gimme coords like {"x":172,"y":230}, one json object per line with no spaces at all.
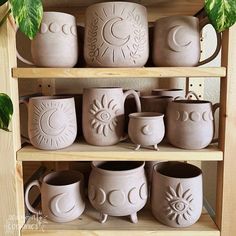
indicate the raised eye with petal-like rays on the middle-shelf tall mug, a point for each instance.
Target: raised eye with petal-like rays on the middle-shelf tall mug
{"x":104,"y":115}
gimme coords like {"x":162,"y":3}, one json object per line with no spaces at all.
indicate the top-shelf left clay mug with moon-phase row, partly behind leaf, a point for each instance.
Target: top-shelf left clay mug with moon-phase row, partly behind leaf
{"x":56,"y":44}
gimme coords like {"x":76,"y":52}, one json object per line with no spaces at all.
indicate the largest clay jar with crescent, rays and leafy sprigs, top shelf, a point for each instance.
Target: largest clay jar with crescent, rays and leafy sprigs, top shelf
{"x":116,"y":35}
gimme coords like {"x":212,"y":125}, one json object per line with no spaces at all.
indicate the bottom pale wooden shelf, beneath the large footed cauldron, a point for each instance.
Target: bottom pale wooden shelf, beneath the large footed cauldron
{"x":88,"y":224}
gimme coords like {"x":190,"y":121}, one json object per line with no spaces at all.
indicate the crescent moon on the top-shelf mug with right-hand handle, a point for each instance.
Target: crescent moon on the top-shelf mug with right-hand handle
{"x":172,"y":42}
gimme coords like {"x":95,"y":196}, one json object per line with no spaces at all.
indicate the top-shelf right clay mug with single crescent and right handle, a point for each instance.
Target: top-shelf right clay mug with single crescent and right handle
{"x":177,"y":41}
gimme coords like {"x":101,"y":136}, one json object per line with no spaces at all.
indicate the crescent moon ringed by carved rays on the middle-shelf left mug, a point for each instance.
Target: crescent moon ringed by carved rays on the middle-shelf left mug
{"x":46,"y":123}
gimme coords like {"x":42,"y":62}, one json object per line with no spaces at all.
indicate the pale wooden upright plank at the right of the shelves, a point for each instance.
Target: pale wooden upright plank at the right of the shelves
{"x":226,"y":193}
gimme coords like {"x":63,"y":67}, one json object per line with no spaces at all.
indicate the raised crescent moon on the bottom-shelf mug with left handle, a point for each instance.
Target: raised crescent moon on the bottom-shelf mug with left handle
{"x":55,"y":208}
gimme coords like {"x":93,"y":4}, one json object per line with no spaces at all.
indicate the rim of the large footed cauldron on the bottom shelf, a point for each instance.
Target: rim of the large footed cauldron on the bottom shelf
{"x":95,"y":167}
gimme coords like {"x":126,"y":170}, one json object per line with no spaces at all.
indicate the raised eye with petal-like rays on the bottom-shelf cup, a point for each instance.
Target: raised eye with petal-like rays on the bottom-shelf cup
{"x":179,"y":204}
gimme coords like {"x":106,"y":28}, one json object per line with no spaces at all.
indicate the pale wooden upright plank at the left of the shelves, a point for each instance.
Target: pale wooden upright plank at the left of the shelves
{"x":11,"y":197}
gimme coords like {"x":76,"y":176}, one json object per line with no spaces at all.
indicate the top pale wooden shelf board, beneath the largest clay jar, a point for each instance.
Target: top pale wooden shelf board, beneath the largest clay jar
{"x":143,"y":72}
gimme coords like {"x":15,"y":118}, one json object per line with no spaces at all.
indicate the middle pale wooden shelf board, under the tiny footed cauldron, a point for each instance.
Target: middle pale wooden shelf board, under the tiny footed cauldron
{"x":80,"y":151}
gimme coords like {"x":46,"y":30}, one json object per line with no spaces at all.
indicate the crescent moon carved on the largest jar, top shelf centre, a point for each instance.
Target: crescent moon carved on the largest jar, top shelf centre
{"x":109,"y":35}
